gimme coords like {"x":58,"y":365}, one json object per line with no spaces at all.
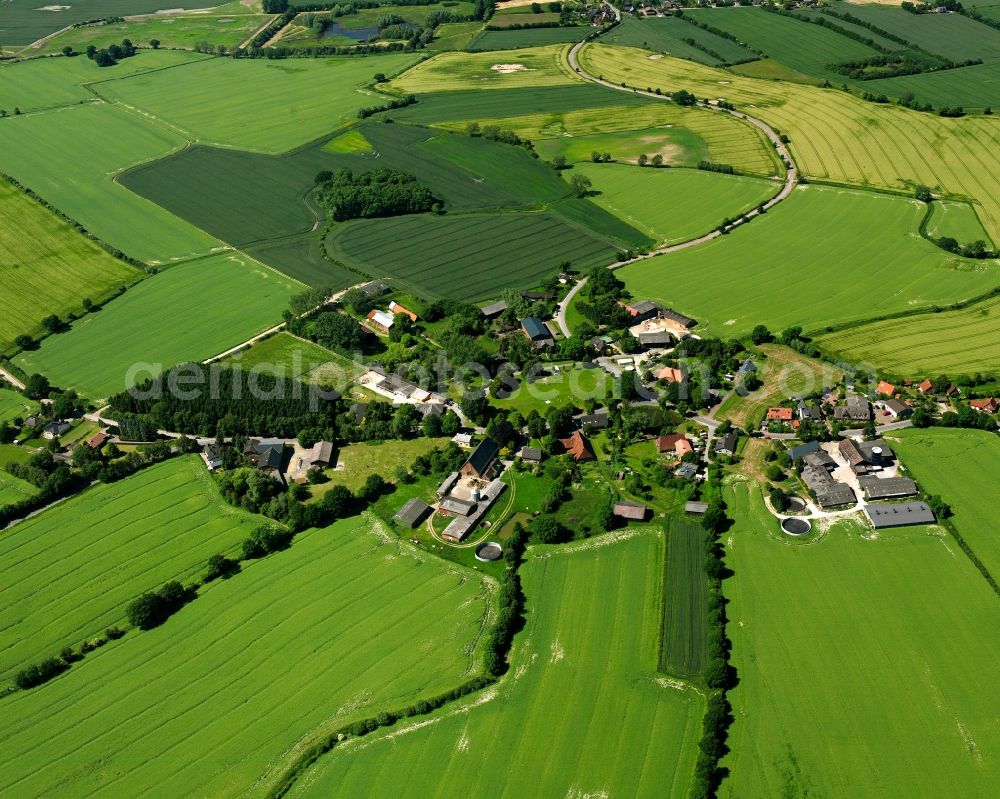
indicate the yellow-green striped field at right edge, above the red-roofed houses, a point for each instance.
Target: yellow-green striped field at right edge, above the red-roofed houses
{"x":953,"y":342}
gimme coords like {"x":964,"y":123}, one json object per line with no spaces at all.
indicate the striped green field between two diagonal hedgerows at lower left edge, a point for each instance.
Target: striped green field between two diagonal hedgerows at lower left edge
{"x":70,"y":572}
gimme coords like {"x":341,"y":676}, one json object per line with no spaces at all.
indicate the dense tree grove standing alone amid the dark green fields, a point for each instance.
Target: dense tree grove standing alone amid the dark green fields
{"x":384,"y":192}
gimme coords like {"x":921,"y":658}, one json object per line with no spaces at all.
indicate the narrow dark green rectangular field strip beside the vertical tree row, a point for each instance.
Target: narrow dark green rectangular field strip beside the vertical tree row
{"x":685,"y":604}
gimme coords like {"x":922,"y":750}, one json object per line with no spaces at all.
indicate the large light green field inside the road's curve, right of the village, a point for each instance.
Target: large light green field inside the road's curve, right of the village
{"x":824,"y":256}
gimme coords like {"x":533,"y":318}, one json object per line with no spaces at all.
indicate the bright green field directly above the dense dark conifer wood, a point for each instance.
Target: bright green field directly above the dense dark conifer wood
{"x":189,"y":312}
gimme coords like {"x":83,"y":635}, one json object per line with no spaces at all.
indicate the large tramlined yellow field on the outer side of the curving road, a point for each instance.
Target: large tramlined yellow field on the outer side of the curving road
{"x":836,"y":136}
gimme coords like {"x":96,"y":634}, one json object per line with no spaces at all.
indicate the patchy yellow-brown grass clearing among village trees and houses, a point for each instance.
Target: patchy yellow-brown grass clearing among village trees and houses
{"x":785,"y":373}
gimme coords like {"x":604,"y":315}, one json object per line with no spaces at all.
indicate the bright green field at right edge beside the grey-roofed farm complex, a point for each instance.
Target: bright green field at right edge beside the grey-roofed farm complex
{"x":960,"y":466}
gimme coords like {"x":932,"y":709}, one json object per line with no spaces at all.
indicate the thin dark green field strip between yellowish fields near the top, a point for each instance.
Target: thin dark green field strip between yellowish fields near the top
{"x":499,"y":103}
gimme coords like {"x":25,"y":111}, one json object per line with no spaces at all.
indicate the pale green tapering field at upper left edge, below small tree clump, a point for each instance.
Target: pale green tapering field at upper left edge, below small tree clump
{"x":50,"y":82}
